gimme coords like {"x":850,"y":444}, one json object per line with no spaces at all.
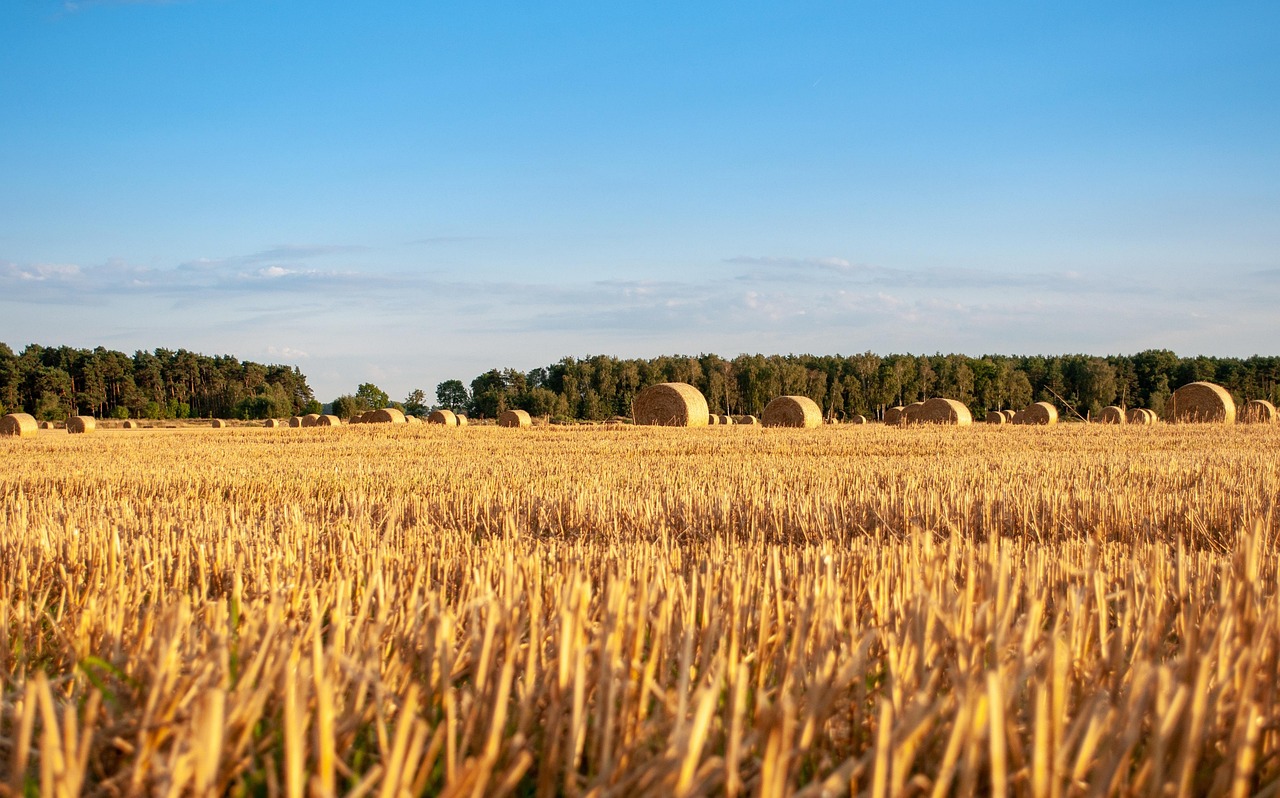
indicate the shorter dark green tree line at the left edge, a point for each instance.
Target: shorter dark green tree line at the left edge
{"x":56,"y":382}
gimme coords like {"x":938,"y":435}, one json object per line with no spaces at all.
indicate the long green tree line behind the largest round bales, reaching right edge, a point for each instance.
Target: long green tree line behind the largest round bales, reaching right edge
{"x":601,"y":387}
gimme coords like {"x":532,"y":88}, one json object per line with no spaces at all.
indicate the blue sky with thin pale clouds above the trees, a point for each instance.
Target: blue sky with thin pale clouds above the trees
{"x":405,"y":193}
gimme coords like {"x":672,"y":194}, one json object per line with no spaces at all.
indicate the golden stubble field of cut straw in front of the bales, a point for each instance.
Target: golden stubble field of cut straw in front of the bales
{"x":618,"y":612}
